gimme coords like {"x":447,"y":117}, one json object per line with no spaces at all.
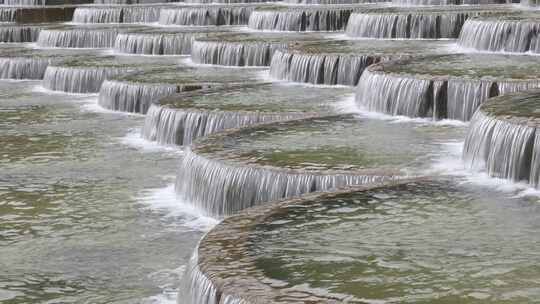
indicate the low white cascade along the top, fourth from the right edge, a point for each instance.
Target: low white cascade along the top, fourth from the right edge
{"x":206,"y":15}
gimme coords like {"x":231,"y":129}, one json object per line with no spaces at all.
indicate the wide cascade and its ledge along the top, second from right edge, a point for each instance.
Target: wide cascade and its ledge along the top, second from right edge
{"x":414,"y":23}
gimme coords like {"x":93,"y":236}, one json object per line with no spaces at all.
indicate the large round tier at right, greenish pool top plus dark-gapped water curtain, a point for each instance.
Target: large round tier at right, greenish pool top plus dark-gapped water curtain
{"x":451,"y":86}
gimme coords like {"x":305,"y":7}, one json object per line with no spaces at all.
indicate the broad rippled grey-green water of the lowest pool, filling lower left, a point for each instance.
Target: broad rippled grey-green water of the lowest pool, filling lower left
{"x":77,"y":219}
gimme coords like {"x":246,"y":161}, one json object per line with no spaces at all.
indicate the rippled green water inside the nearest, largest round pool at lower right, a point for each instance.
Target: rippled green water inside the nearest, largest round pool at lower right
{"x":434,"y":242}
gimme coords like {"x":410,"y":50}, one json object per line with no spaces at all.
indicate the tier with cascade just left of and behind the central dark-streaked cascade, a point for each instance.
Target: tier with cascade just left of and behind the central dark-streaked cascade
{"x":243,"y":49}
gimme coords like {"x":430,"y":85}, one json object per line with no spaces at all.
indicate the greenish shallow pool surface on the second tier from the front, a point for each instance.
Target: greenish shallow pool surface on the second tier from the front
{"x":341,"y":143}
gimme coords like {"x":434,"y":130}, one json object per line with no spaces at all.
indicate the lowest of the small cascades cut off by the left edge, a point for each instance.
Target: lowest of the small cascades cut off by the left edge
{"x":23,"y":67}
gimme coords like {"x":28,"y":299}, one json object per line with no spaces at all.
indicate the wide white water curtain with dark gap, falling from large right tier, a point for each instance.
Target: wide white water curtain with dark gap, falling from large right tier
{"x":438,"y":97}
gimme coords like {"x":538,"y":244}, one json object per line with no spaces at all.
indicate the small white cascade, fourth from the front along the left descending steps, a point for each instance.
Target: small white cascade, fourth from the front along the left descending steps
{"x":133,"y":97}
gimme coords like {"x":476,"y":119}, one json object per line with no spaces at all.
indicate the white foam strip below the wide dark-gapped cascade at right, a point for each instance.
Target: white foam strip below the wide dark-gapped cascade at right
{"x":348,"y":105}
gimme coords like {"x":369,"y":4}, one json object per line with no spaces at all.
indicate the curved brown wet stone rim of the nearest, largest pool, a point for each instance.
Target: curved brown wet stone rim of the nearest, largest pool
{"x":223,"y":253}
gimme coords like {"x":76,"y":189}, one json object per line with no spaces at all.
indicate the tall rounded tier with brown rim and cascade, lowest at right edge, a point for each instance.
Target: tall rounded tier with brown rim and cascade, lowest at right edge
{"x":503,"y":139}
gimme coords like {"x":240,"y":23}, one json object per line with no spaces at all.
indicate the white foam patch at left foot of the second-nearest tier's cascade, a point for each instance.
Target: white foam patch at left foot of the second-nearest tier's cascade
{"x":165,"y":201}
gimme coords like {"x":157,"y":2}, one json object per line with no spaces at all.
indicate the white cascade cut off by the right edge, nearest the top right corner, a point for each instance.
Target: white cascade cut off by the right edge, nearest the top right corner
{"x":501,"y":35}
